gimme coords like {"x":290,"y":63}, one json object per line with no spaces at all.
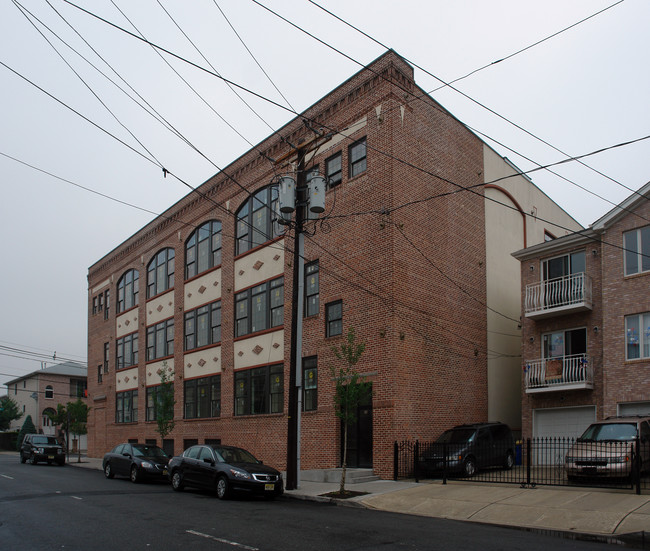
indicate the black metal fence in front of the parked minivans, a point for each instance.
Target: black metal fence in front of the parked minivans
{"x":536,"y":461}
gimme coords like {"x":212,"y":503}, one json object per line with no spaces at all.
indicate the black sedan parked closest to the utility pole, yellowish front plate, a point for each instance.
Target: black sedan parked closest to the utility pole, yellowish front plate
{"x":224,"y":469}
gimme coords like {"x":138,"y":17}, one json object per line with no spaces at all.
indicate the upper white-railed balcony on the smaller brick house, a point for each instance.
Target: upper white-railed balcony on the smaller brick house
{"x":560,"y":296}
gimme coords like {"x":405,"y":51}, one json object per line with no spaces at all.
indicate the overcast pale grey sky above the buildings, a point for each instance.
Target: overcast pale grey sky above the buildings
{"x":582,"y":90}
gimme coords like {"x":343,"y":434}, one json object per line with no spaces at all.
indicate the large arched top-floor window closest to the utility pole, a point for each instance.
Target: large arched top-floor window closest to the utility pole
{"x":257,"y":219}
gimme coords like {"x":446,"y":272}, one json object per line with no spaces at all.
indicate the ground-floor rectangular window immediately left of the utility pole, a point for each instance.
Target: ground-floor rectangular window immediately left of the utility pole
{"x":260,"y":390}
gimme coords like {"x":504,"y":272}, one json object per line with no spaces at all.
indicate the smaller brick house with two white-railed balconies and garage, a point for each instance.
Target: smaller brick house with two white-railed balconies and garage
{"x":586,"y":329}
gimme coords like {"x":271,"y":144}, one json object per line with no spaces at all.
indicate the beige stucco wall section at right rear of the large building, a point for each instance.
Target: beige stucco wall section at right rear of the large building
{"x":517,"y":214}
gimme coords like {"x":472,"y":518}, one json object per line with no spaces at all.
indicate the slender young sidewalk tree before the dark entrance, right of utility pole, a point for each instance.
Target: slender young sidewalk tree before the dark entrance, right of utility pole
{"x":351,"y":391}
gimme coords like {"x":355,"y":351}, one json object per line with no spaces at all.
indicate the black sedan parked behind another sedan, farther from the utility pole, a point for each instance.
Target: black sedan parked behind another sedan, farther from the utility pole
{"x":137,"y":461}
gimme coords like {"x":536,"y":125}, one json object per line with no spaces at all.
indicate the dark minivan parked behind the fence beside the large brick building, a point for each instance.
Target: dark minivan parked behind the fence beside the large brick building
{"x":467,"y":448}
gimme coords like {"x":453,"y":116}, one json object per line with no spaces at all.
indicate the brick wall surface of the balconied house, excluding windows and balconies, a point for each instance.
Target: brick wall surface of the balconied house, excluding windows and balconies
{"x":617,"y":382}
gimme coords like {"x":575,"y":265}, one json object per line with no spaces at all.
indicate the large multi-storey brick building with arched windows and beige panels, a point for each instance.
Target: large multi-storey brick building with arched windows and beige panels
{"x":413,"y":251}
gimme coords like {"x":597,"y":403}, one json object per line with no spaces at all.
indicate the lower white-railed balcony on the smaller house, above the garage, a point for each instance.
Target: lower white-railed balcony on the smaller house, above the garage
{"x":573,"y":372}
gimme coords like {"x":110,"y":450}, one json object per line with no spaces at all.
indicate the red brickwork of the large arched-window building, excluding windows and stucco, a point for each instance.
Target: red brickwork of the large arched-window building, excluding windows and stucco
{"x":425,"y":335}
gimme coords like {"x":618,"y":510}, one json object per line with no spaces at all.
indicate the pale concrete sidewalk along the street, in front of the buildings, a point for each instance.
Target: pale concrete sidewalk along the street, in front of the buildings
{"x":613,"y":516}
